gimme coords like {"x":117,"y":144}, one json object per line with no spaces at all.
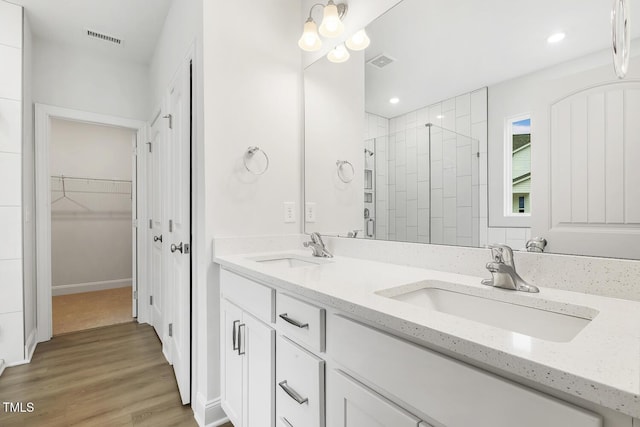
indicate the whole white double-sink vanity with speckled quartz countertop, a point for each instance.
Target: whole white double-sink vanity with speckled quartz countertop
{"x":309,"y":341}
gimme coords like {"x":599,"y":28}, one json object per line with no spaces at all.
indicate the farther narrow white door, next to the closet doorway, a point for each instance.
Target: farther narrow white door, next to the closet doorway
{"x":154,"y":187}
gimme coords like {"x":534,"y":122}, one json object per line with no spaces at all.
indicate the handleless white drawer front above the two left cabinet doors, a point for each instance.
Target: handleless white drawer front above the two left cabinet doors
{"x":255,"y":298}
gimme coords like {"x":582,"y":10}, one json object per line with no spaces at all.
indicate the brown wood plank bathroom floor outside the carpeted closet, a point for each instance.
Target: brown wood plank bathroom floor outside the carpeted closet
{"x":111,"y":376}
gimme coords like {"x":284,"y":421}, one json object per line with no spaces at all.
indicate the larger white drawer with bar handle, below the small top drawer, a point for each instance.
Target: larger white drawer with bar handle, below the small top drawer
{"x":299,"y":386}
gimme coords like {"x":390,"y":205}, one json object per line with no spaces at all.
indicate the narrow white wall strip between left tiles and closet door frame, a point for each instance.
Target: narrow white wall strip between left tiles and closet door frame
{"x":28,"y":191}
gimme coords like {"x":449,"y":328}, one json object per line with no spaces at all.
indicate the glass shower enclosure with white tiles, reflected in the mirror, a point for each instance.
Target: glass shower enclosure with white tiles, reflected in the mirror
{"x":426,"y":187}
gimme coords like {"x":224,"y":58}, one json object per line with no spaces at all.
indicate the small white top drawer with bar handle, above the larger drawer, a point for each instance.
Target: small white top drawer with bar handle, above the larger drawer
{"x":304,"y":323}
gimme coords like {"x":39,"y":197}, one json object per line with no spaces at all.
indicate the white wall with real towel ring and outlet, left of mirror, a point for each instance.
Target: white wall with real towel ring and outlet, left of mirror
{"x":252,"y":92}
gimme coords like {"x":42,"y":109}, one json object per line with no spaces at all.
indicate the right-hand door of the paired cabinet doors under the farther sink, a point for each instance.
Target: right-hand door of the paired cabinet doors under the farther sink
{"x":258,"y":343}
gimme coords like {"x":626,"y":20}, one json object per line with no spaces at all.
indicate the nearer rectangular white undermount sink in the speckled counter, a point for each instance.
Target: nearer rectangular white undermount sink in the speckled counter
{"x":525,"y":320}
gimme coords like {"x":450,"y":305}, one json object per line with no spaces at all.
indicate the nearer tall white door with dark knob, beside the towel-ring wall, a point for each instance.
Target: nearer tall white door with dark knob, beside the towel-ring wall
{"x":179,"y":235}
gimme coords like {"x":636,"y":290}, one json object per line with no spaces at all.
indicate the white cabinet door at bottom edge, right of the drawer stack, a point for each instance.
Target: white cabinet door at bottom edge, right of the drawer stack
{"x":351,"y":404}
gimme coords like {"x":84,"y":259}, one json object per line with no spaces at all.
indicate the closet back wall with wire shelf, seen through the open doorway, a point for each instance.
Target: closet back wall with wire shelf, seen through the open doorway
{"x":93,"y":244}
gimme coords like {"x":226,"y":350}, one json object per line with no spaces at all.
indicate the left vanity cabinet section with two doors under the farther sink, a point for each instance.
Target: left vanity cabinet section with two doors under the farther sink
{"x":247,"y":359}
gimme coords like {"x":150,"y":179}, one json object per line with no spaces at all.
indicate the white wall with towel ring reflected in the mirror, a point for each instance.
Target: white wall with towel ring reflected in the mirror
{"x":333,"y":131}
